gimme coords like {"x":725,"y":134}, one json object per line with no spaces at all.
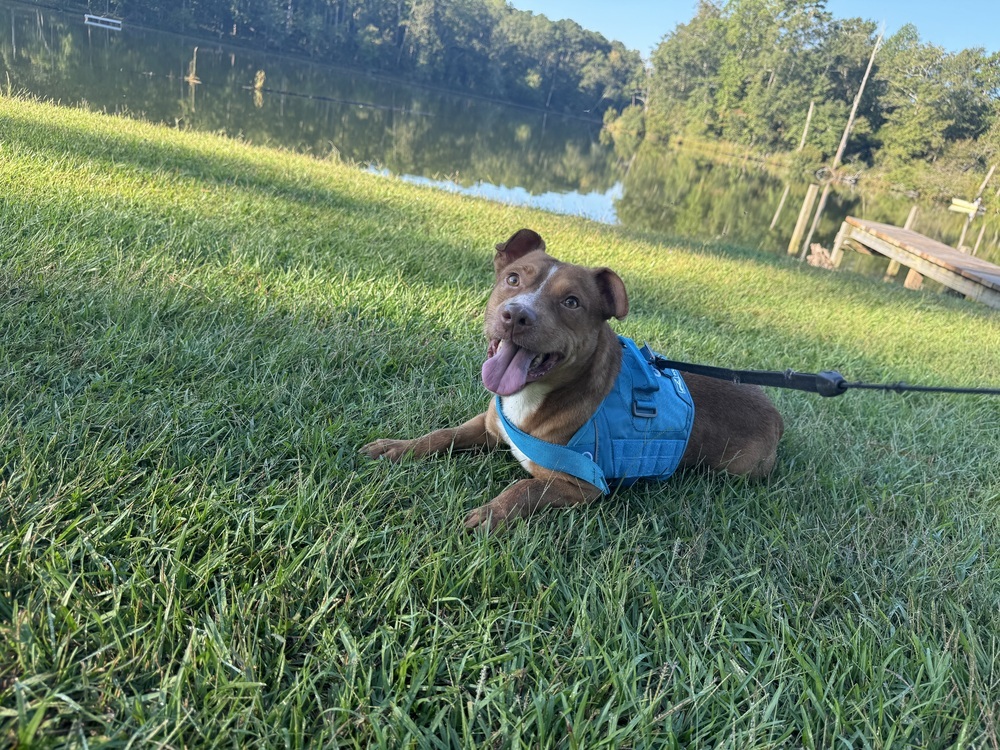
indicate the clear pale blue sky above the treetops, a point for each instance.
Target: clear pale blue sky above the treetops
{"x":641,"y":24}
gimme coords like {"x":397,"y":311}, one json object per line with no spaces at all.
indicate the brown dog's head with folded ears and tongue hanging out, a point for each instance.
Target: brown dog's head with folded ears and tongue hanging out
{"x":544,"y":316}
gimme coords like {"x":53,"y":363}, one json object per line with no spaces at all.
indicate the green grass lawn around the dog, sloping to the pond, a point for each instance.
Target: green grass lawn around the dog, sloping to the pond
{"x":197,"y":336}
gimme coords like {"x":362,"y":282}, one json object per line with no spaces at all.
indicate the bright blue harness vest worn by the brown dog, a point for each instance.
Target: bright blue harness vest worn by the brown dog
{"x":640,"y":430}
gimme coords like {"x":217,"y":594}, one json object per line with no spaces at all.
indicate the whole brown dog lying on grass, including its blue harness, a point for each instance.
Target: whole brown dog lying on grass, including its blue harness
{"x":564,"y":384}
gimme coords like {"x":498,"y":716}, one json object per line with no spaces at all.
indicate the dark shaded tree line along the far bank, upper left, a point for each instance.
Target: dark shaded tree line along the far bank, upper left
{"x":484,"y":47}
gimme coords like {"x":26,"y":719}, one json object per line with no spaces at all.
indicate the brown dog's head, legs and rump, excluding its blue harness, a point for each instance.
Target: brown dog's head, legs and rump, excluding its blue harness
{"x":553,"y":359}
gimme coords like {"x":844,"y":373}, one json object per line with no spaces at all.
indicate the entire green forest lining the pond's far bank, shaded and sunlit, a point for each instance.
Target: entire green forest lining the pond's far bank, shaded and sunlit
{"x":752,"y":73}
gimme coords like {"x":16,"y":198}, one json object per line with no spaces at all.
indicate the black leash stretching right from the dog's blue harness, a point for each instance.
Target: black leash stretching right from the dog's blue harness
{"x":826,"y":383}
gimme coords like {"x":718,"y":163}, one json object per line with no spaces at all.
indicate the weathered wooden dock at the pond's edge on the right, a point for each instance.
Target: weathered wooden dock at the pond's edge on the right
{"x":975,"y":278}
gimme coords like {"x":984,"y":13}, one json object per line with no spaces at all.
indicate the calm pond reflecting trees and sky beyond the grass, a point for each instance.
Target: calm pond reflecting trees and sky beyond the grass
{"x":498,"y":151}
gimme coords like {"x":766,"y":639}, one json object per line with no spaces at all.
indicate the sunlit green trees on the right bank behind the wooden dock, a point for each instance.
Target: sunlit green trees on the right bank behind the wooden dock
{"x":746,"y":71}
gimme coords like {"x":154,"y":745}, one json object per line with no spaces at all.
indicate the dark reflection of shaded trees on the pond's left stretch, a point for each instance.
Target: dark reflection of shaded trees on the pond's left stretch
{"x":297,"y":105}
